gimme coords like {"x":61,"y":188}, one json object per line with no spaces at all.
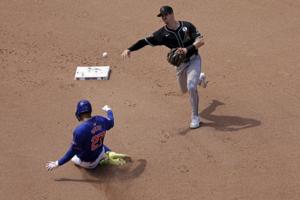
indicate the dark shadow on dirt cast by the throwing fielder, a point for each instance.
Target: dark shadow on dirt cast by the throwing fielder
{"x":222,"y":122}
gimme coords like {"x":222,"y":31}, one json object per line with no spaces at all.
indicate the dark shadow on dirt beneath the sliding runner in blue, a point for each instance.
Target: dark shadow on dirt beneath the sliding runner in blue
{"x":109,"y":173}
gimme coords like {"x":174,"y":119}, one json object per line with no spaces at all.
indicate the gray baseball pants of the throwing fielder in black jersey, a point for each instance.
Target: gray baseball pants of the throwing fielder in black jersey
{"x":188,"y":77}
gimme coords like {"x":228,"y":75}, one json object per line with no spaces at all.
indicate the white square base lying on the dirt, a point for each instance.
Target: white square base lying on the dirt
{"x":92,"y":73}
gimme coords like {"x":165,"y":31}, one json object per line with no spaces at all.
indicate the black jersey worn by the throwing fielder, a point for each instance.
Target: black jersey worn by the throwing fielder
{"x":183,"y":36}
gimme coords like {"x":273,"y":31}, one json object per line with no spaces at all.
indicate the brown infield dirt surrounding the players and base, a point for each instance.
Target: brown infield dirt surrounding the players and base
{"x":248,"y":147}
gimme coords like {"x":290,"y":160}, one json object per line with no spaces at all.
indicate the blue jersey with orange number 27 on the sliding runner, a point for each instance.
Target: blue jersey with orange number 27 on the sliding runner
{"x":88,"y":138}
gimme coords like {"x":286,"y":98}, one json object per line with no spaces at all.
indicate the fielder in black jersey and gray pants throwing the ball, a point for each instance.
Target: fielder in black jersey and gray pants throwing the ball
{"x":184,"y":37}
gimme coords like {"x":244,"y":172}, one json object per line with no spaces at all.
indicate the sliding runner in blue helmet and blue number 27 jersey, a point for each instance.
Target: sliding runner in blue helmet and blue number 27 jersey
{"x":87,"y":148}
